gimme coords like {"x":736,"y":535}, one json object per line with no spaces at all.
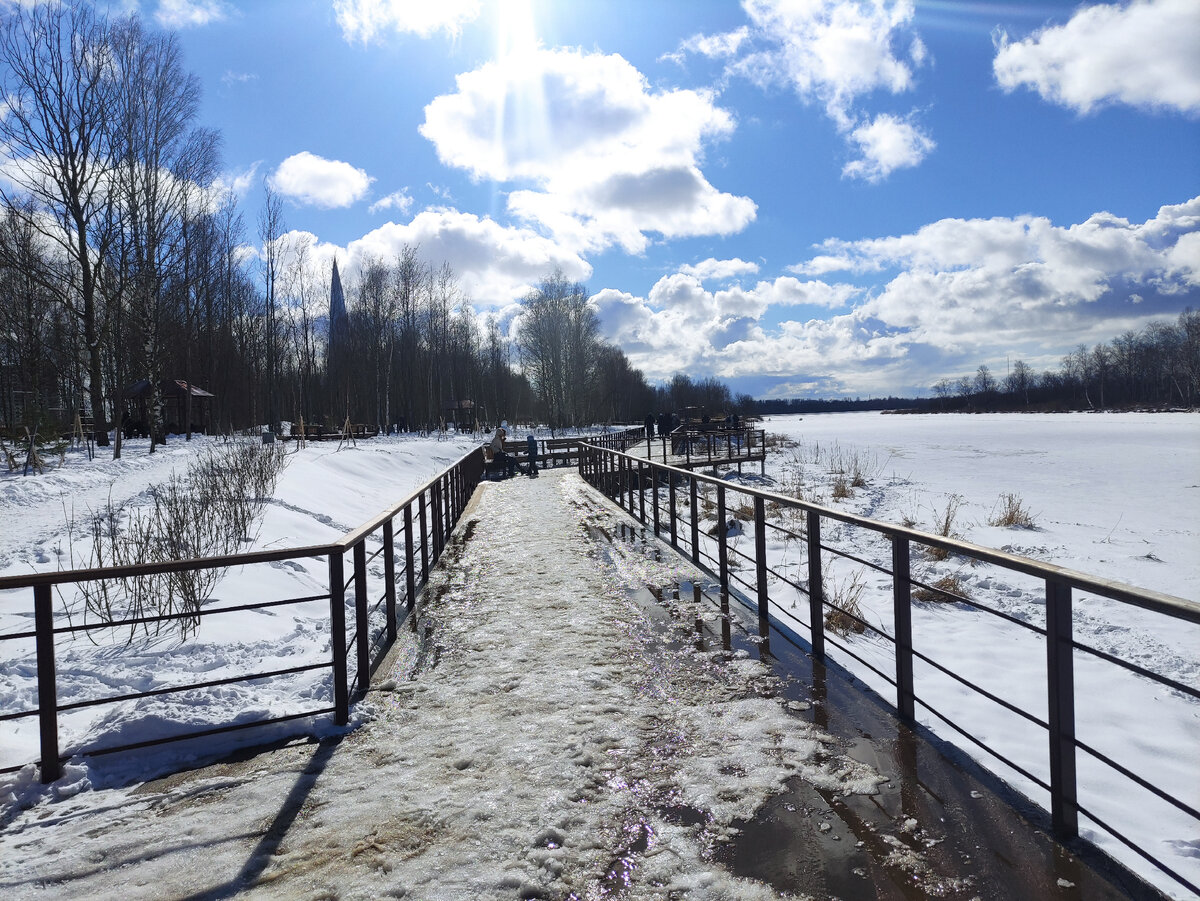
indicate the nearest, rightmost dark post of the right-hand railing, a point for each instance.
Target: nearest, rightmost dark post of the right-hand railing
{"x":1061,"y":686}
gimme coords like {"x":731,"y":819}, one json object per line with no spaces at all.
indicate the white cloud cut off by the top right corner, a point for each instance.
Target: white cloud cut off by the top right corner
{"x":1143,"y":55}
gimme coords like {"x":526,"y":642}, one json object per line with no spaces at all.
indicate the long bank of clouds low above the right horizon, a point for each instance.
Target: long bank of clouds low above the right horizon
{"x":956,"y":292}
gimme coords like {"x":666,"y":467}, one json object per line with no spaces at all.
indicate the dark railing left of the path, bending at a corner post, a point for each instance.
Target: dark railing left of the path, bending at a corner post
{"x":427,"y":520}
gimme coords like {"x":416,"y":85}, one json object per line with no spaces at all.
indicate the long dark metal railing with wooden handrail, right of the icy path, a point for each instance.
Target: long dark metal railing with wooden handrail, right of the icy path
{"x":659,"y":496}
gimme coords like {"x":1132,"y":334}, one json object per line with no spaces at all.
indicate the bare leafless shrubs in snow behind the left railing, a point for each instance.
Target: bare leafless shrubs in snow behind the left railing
{"x":207,"y":513}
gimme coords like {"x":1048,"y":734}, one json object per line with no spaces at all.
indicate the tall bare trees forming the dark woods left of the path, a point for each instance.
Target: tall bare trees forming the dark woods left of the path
{"x":124,"y":261}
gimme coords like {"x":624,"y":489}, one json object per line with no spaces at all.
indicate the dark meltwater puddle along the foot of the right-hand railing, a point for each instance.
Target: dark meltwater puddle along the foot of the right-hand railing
{"x":938,"y":828}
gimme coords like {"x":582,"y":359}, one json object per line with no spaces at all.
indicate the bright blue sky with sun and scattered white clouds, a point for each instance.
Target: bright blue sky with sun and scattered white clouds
{"x":801,"y":197}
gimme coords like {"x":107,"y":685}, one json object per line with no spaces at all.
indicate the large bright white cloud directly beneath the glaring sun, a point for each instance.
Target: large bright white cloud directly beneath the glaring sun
{"x":610,"y":160}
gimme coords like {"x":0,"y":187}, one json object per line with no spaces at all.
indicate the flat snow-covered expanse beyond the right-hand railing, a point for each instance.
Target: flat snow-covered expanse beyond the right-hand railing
{"x":1115,"y":496}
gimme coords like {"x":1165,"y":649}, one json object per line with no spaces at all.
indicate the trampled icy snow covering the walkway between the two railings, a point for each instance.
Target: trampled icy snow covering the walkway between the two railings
{"x":539,"y":742}
